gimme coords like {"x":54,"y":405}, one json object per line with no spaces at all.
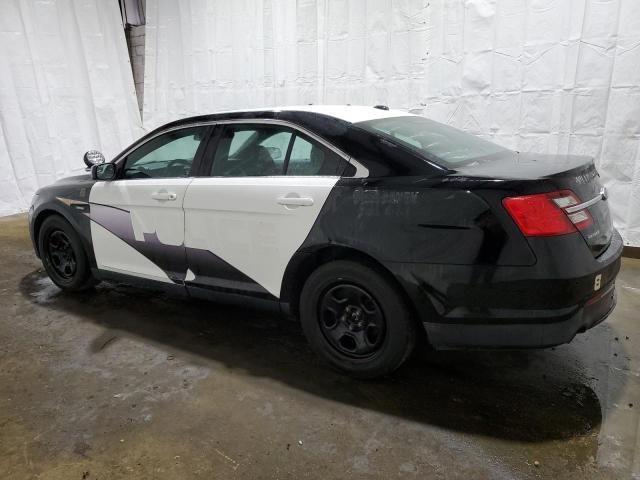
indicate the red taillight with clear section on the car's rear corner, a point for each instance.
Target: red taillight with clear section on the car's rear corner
{"x":544,"y":215}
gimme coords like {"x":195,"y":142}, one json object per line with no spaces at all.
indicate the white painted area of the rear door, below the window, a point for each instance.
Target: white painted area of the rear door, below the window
{"x":255,"y":224}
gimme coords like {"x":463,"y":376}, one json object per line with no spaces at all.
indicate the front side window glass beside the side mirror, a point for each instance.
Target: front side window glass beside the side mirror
{"x":168,"y":155}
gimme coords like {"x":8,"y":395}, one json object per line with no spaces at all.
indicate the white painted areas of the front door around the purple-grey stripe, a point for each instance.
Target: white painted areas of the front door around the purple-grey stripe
{"x":155,"y":208}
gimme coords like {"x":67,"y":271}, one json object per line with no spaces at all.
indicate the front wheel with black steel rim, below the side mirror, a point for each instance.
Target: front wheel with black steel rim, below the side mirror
{"x":63,"y":256}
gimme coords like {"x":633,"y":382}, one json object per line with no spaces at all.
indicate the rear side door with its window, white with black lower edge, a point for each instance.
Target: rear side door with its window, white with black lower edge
{"x":255,"y":205}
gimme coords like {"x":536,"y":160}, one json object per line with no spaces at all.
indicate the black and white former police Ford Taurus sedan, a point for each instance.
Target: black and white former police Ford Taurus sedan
{"x":374,"y":227}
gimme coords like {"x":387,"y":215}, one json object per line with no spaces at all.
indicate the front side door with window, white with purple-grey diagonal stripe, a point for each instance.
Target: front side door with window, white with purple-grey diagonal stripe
{"x":137,"y":220}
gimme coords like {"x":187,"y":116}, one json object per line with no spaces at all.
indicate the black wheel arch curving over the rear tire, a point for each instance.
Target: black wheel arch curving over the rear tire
{"x":297,"y":273}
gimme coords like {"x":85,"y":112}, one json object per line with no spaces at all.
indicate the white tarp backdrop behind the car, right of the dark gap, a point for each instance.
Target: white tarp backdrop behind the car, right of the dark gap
{"x":557,"y":76}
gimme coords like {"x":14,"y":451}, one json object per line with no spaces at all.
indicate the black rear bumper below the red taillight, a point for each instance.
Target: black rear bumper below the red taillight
{"x":464,"y":306}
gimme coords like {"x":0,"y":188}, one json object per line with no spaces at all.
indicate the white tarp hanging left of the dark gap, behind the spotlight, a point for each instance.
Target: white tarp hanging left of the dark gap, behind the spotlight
{"x":65,"y":87}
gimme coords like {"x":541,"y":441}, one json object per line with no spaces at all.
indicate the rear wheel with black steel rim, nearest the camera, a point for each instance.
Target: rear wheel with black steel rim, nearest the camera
{"x":354,"y":340}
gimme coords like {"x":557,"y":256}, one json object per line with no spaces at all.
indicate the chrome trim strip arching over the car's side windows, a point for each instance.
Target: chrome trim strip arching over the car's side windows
{"x":361,"y":170}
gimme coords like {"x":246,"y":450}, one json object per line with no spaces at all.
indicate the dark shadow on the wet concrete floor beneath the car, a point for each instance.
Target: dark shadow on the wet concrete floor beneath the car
{"x":528,"y":396}
